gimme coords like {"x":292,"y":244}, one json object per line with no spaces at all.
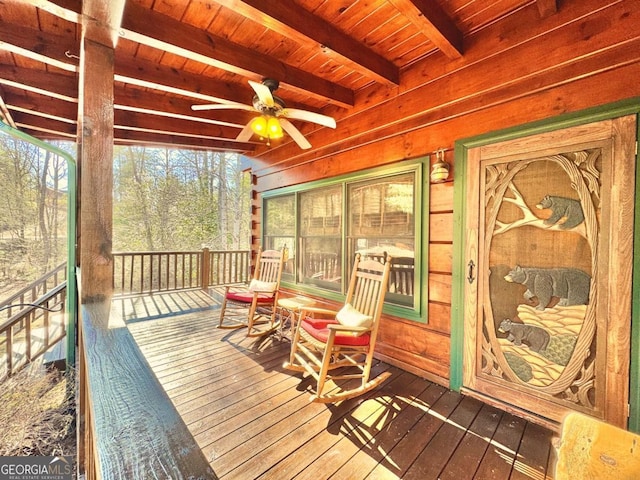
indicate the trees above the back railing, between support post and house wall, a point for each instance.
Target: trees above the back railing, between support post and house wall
{"x":178,"y":200}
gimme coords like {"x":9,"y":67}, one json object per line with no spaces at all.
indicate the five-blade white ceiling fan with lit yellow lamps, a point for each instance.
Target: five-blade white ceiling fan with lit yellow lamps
{"x":273,"y":117}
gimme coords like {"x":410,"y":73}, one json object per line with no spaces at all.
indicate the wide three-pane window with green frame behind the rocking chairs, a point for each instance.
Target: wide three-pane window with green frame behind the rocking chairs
{"x":377,"y":213}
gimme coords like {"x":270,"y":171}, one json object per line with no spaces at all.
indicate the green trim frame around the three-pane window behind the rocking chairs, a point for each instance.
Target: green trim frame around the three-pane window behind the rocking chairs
{"x":271,"y":238}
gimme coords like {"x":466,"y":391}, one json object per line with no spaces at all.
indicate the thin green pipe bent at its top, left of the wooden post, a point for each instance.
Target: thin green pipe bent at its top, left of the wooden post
{"x":71,"y":301}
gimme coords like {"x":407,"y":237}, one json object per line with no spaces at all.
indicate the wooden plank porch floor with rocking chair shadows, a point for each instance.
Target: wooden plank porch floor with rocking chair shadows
{"x":252,"y":419}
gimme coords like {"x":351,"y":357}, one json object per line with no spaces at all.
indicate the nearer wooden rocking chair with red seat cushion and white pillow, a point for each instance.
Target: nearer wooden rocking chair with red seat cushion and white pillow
{"x":331,"y":345}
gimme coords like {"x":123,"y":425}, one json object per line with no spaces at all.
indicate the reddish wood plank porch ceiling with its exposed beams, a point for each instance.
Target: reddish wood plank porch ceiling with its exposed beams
{"x":171,"y":54}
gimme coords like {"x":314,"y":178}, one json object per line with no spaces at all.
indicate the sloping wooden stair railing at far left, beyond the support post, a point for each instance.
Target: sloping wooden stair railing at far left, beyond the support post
{"x":37,"y":326}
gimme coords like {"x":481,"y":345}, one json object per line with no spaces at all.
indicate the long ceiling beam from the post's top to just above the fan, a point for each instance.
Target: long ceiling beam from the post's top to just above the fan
{"x":149,"y":28}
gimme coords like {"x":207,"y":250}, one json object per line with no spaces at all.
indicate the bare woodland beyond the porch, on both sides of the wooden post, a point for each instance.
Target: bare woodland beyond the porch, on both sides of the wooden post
{"x":163,"y":200}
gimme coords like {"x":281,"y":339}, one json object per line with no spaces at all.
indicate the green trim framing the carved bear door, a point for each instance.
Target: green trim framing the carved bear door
{"x":626,"y":107}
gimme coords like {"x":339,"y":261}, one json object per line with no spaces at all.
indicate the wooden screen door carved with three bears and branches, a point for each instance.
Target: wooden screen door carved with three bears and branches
{"x":548,"y":291}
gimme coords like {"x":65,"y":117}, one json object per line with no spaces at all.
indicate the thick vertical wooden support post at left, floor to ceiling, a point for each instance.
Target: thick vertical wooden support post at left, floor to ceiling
{"x":94,"y":198}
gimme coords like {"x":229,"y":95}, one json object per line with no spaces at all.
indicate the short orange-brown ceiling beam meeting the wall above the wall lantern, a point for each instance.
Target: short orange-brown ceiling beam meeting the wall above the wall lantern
{"x":429,"y":17}
